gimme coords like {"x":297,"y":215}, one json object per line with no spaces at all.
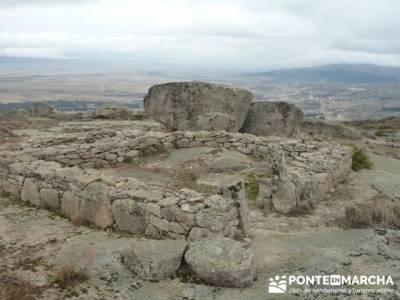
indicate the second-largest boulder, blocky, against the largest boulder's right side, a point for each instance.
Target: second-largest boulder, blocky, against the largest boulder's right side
{"x":272,"y":118}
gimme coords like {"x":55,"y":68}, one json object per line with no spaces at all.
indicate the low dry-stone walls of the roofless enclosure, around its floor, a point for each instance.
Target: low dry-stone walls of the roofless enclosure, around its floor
{"x":74,"y":170}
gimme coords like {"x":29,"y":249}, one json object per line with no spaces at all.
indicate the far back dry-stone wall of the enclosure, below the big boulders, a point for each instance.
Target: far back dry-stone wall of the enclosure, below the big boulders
{"x":110,"y":148}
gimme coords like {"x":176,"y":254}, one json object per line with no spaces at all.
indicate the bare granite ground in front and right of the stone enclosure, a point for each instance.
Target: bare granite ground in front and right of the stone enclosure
{"x":35,"y":243}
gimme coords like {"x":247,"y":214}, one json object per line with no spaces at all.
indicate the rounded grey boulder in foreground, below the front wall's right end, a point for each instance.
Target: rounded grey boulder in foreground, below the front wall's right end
{"x":221,"y":261}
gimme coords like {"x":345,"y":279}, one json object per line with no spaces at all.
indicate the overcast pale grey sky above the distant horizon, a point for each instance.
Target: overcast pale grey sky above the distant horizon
{"x":243,"y":34}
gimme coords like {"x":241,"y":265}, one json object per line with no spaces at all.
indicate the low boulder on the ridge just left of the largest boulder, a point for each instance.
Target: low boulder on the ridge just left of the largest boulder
{"x":116,"y":112}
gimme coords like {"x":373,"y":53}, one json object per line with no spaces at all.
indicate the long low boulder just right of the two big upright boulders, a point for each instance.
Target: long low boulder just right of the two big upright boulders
{"x":324,"y":130}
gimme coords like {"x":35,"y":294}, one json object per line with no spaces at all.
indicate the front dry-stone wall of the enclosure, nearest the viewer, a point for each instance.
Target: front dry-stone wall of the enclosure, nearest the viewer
{"x":127,"y":204}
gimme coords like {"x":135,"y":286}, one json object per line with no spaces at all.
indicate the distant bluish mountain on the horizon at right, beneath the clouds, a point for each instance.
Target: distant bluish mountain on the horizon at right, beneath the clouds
{"x":338,"y":73}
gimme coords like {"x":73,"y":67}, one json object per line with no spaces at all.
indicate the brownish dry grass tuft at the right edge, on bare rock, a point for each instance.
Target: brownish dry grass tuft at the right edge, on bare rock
{"x":381,"y":212}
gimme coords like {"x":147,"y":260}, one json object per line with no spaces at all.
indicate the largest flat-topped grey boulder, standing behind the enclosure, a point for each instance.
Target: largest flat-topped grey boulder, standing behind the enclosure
{"x":198,"y":106}
